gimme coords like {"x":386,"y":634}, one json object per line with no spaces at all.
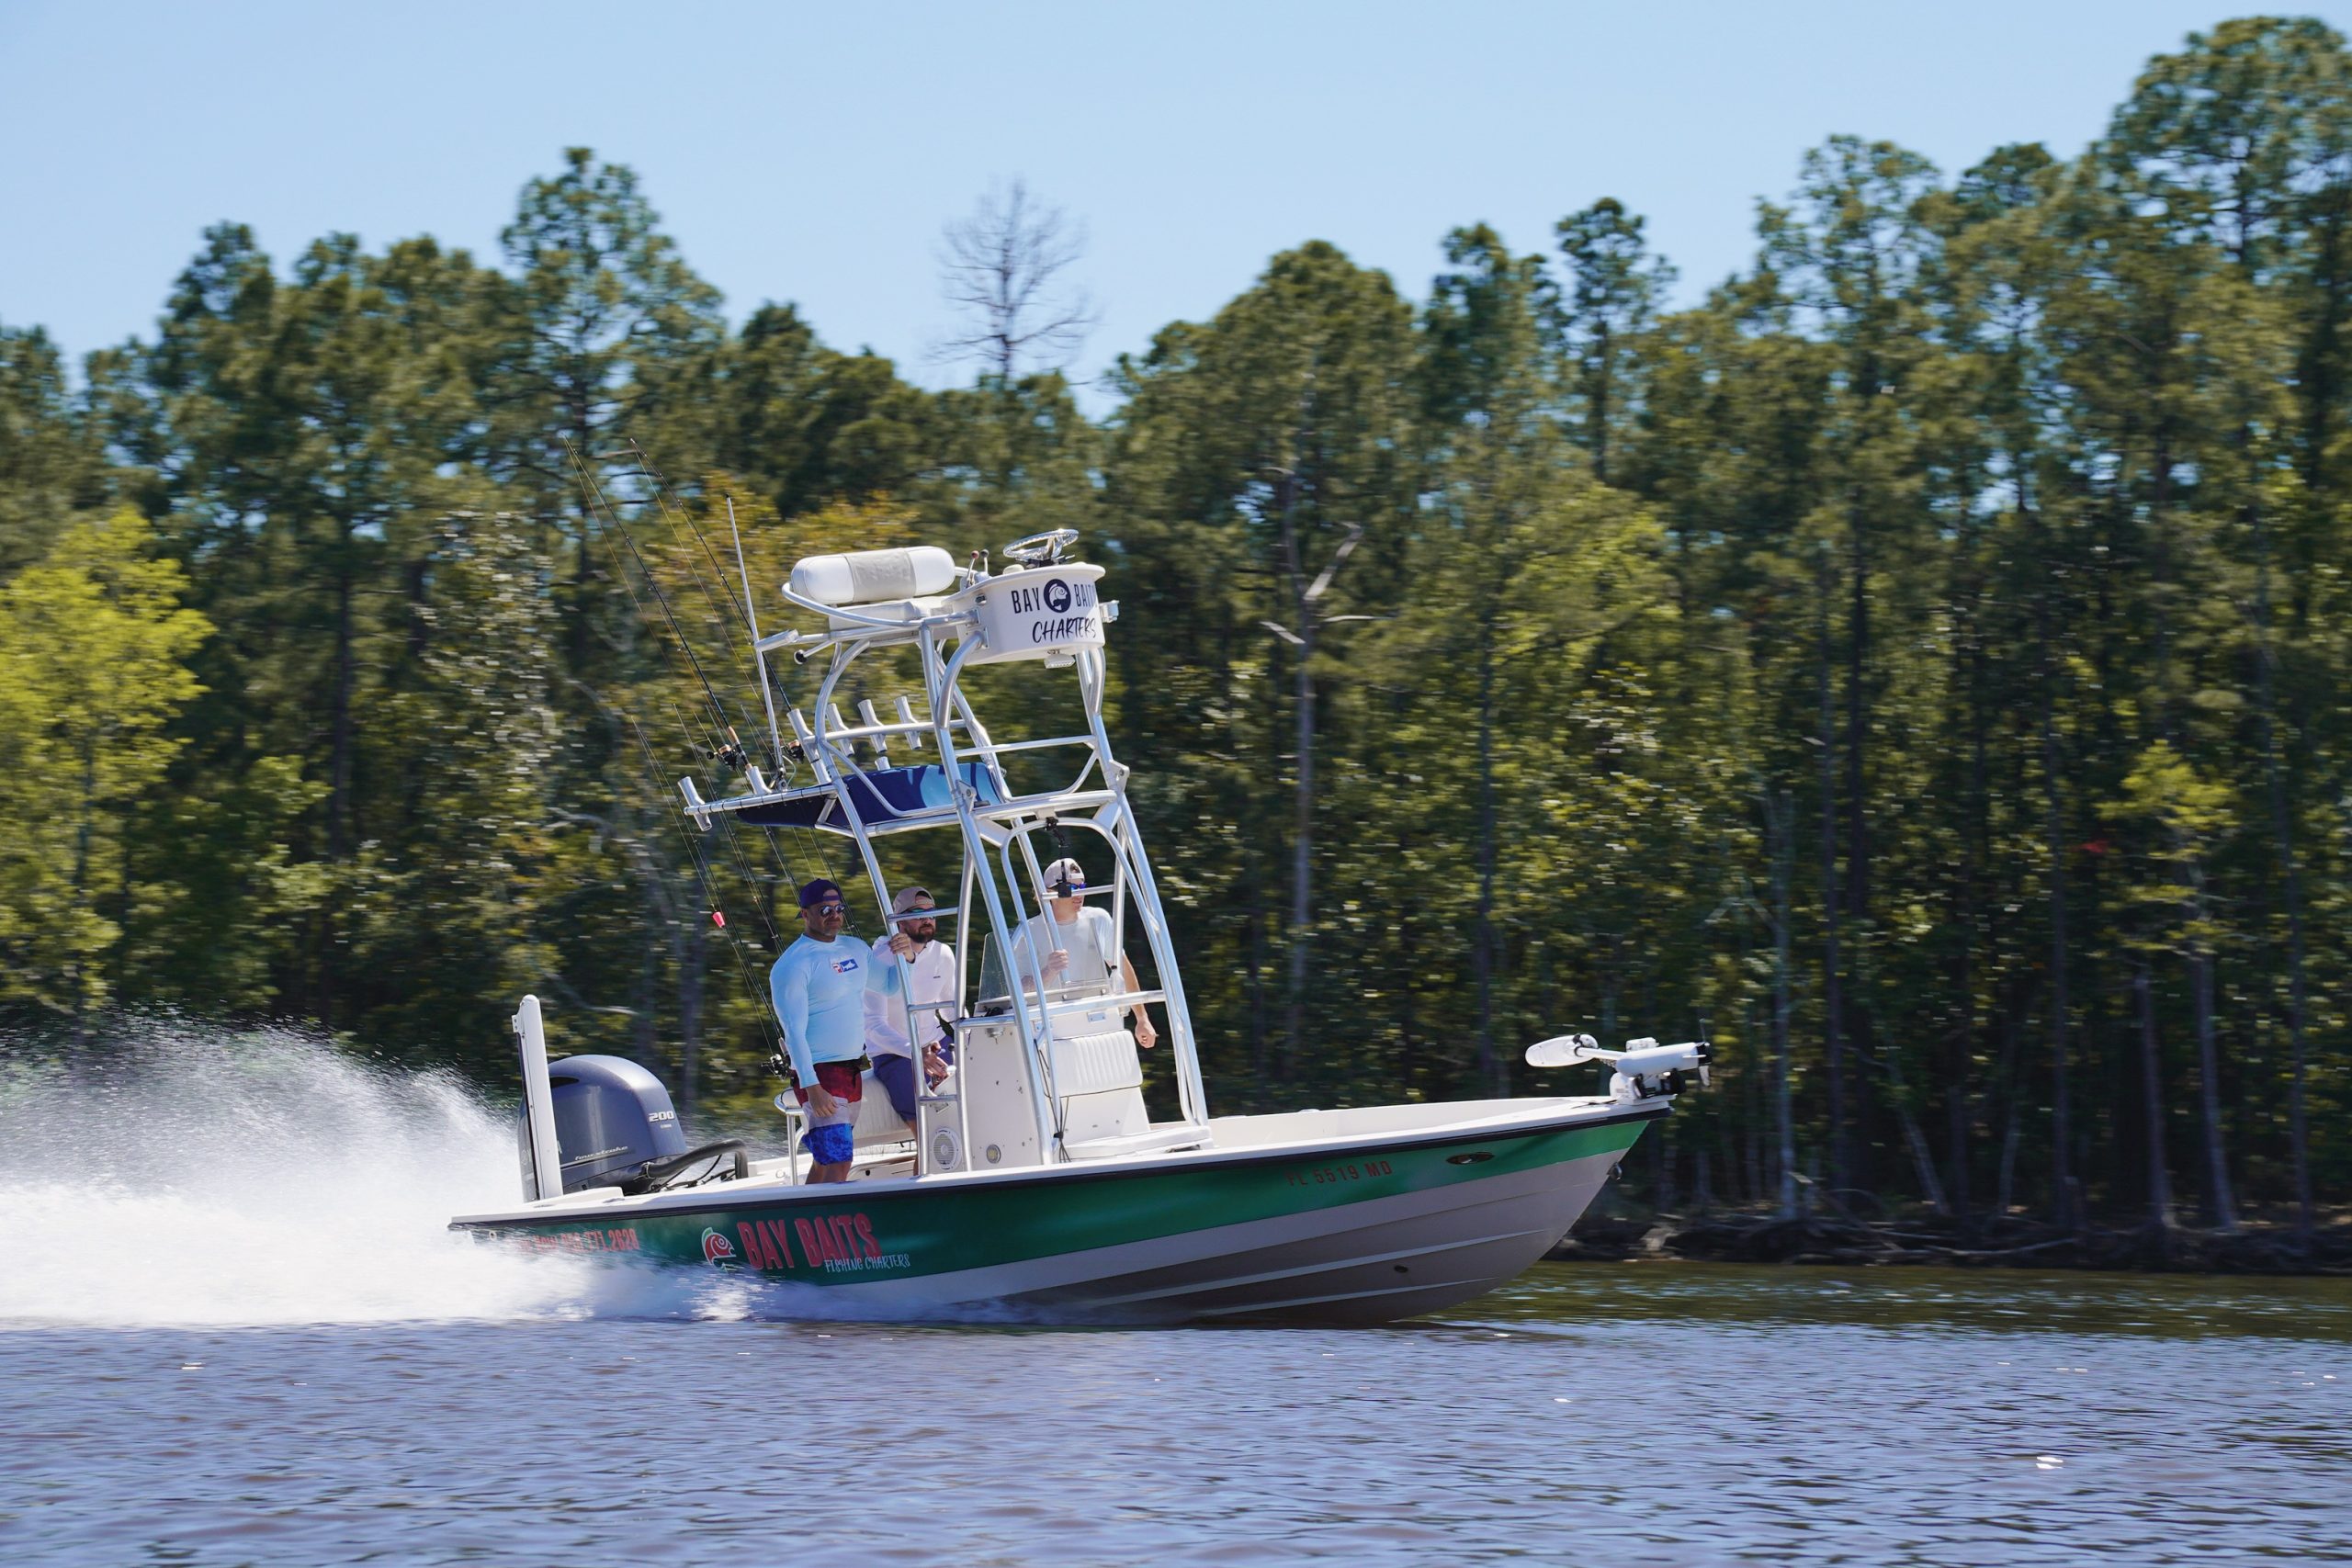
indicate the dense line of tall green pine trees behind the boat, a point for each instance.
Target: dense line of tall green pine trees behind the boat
{"x":1918,"y":666}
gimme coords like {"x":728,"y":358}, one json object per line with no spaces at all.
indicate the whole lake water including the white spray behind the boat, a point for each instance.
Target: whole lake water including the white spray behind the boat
{"x":234,"y":1332}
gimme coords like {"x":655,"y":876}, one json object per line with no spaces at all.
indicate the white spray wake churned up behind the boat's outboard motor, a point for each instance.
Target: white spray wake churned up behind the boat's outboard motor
{"x":262,"y":1177}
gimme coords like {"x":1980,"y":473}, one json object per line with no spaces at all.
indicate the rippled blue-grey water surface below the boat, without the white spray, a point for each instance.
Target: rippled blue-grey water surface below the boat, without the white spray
{"x":1641,"y":1414}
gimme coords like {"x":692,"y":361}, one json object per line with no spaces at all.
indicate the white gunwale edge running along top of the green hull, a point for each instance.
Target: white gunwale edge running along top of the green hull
{"x":780,"y":1193}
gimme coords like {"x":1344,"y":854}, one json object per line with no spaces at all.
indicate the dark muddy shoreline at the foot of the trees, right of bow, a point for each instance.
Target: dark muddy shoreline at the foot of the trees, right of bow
{"x":1996,"y":1242}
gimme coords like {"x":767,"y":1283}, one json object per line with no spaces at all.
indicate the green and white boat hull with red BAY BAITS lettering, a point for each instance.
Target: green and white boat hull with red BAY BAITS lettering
{"x":1365,"y":1228}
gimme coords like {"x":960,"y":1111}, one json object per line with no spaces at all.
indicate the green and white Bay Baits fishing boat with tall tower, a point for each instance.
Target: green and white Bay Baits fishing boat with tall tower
{"x":1038,"y":1181}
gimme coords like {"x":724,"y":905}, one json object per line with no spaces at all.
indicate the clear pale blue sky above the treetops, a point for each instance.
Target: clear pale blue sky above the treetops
{"x":815,"y":152}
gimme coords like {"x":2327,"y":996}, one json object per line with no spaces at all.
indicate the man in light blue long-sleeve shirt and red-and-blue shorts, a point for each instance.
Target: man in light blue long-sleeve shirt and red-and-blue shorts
{"x":820,"y":991}
